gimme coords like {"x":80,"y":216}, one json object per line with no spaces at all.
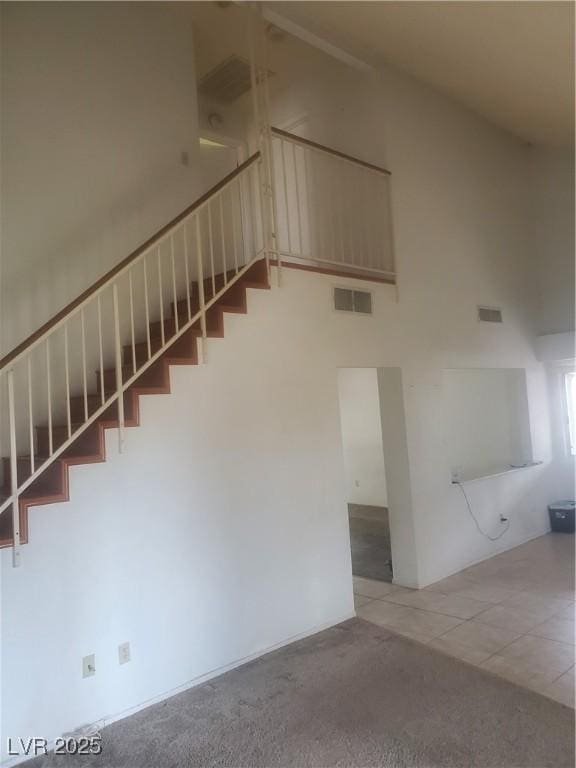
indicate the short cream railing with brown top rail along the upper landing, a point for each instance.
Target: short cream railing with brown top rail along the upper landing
{"x":331,"y":209}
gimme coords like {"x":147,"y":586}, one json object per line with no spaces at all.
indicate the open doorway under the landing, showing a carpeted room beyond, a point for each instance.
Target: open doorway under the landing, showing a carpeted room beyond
{"x":366,"y":489}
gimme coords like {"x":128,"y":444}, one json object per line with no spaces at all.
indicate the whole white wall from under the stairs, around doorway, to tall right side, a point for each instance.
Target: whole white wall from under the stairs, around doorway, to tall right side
{"x":252,"y":546}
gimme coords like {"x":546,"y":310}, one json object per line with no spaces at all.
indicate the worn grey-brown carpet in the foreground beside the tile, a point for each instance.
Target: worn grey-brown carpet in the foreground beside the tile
{"x":354,"y":695}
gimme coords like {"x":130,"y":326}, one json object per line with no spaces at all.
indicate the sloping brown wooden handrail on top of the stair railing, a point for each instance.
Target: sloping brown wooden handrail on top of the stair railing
{"x":124,"y":263}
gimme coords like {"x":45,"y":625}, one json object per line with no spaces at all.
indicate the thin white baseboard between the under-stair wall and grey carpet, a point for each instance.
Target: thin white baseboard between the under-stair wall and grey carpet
{"x":113,"y":718}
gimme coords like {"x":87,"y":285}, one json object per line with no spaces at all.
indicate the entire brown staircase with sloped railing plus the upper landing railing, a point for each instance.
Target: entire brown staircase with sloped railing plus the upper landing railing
{"x":282,"y":203}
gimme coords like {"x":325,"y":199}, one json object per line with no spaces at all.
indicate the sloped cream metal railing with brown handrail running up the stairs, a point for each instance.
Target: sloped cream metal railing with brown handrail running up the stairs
{"x":180,"y":272}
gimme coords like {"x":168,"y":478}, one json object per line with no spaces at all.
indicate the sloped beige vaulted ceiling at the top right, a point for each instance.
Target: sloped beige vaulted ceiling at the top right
{"x":510,"y":61}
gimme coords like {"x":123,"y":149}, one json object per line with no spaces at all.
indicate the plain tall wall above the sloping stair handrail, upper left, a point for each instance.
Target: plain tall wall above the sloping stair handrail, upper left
{"x":98,"y":103}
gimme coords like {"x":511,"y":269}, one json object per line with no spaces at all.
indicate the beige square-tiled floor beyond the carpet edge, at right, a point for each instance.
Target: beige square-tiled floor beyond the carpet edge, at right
{"x":512,"y":614}
